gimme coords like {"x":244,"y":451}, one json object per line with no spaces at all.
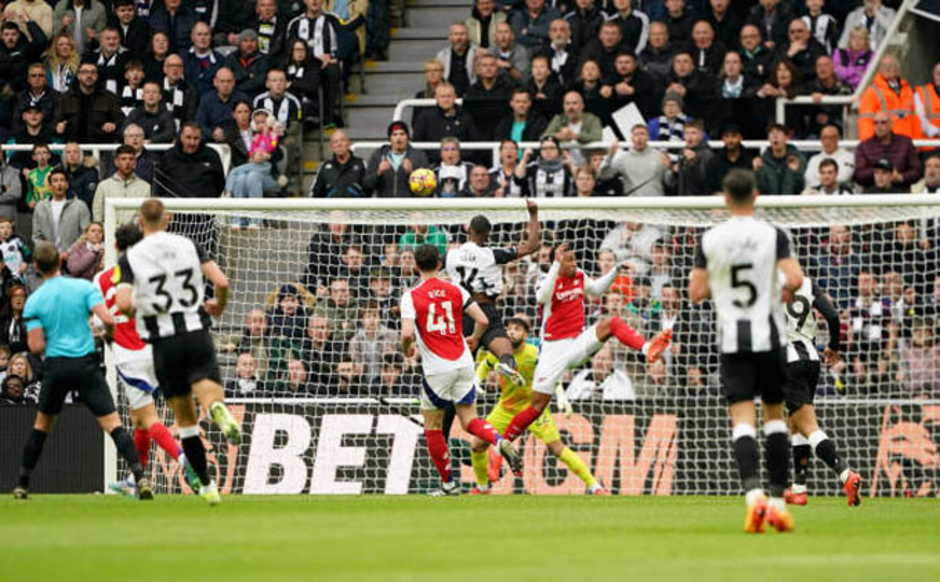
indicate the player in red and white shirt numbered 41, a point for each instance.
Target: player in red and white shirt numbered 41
{"x":432,"y":318}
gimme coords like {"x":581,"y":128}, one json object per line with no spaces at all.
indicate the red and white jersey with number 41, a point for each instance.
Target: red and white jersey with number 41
{"x":437,"y":308}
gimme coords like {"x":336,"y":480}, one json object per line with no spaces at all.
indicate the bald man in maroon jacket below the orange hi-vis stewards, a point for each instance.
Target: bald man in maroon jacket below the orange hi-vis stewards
{"x":887,"y":144}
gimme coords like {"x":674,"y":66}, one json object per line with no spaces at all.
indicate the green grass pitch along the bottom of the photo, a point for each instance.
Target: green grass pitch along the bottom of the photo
{"x":99,"y":538}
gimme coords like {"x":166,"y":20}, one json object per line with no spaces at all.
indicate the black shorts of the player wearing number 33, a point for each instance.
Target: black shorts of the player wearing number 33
{"x":181,"y":360}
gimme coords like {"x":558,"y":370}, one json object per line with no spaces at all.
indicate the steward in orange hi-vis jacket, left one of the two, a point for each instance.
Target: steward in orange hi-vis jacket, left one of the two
{"x":888,"y":93}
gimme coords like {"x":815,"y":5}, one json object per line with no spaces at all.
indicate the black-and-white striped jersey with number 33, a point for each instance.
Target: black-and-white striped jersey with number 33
{"x":165,"y":271}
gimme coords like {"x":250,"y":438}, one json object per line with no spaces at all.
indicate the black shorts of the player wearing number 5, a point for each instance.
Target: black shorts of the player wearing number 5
{"x":747,"y":375}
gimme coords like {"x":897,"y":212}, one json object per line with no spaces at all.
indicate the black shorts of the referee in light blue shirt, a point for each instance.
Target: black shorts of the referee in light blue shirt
{"x":84,"y":375}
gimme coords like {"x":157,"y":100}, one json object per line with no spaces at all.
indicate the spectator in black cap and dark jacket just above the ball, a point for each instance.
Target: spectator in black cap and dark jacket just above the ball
{"x":390,"y":166}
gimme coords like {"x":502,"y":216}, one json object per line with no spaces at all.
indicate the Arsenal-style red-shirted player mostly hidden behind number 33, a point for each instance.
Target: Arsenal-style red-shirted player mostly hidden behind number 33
{"x":134,"y":362}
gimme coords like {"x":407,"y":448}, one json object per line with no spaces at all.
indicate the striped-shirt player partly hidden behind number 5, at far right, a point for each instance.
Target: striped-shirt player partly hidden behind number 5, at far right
{"x":803,"y":370}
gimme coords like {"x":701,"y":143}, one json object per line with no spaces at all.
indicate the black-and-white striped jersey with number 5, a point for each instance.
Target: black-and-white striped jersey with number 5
{"x":741,"y":257}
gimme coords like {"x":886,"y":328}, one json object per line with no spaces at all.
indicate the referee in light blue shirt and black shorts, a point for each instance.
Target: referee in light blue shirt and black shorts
{"x":56,"y":317}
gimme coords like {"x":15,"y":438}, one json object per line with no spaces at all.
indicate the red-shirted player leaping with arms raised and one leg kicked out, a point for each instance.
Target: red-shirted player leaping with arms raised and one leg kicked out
{"x":565,"y":342}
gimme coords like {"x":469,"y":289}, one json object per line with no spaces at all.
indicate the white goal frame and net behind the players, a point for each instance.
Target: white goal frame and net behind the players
{"x":312,"y":366}
